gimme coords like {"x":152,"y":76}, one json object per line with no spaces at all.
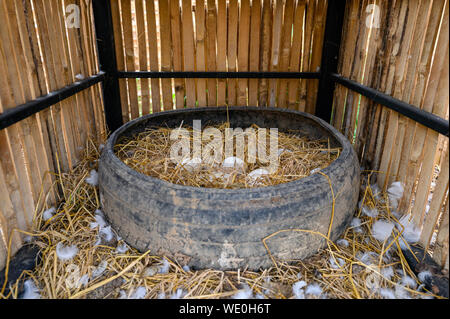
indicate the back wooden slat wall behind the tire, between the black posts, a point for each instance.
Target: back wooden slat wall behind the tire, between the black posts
{"x":218,"y":35}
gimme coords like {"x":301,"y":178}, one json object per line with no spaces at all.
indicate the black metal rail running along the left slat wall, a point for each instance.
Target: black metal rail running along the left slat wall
{"x":20,"y":112}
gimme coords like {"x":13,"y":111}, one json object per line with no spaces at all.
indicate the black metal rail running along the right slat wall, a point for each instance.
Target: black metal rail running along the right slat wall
{"x":427,"y":119}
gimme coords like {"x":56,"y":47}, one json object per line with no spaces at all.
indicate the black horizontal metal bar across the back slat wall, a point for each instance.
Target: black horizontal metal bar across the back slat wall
{"x":219,"y":75}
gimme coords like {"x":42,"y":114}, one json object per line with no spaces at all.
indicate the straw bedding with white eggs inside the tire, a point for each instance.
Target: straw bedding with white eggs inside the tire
{"x":298,"y":156}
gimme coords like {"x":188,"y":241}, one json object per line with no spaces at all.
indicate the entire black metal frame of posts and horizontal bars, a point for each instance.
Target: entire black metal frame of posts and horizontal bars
{"x":109,"y":77}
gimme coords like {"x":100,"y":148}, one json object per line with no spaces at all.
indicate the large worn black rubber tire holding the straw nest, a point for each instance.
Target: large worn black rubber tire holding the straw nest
{"x":224,"y":228}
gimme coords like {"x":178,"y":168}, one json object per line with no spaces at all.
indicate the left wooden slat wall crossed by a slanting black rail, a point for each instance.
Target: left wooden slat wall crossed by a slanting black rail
{"x":39,"y":54}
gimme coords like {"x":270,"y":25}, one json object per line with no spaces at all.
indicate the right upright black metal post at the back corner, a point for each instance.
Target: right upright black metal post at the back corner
{"x":330,"y":55}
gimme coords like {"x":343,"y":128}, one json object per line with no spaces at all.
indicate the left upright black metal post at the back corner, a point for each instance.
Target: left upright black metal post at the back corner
{"x":107,"y":60}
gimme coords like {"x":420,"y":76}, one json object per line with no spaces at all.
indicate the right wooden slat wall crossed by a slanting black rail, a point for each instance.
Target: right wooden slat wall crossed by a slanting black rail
{"x":404,"y":54}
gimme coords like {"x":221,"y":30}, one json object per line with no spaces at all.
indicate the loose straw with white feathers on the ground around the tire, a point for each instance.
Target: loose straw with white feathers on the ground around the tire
{"x":109,"y":269}
